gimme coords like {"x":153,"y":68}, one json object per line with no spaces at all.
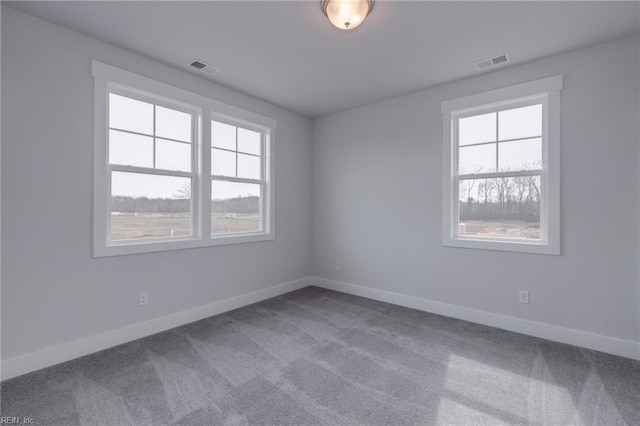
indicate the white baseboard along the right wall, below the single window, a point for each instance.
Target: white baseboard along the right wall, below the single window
{"x":612,"y":345}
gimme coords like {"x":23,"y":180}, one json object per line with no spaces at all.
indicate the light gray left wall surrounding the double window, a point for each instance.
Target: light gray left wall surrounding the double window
{"x":53,"y":291}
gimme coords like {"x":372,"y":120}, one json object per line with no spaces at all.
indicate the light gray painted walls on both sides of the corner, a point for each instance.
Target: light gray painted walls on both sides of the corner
{"x":376,"y":200}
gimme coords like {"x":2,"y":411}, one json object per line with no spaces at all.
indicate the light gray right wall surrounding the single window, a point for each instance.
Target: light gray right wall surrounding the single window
{"x":377,"y":184}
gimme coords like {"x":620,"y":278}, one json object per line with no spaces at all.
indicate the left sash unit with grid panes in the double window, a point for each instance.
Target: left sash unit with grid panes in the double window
{"x":150,"y":175}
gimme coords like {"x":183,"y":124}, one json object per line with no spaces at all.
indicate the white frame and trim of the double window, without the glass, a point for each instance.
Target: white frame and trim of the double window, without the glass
{"x":109,"y":78}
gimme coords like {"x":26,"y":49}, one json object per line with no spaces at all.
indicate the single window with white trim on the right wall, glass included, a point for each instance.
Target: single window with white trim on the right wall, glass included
{"x":501,"y":164}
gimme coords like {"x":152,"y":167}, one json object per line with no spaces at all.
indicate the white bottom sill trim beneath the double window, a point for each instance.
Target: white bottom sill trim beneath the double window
{"x":121,"y":249}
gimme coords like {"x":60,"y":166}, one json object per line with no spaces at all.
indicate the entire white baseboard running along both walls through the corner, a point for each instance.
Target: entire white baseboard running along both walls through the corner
{"x":47,"y":357}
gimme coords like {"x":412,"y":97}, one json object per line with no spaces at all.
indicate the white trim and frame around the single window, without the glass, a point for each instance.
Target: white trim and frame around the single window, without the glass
{"x":547,"y":88}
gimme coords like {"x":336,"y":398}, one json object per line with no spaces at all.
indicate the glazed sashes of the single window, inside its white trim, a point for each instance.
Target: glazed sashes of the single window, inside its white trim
{"x":498,"y":158}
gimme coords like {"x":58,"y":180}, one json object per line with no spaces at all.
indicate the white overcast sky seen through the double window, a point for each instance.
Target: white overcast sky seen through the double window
{"x":130,"y":120}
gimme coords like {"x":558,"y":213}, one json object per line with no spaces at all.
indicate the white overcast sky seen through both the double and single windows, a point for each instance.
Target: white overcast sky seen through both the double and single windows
{"x":479,"y":149}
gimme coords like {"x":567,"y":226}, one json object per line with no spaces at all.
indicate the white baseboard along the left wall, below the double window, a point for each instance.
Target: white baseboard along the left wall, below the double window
{"x":47,"y":357}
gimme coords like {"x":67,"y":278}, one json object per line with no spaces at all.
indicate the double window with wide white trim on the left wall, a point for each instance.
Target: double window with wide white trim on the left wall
{"x":173,"y":169}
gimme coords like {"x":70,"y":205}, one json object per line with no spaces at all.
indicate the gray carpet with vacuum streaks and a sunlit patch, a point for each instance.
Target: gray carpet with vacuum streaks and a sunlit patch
{"x":320,"y":357}
